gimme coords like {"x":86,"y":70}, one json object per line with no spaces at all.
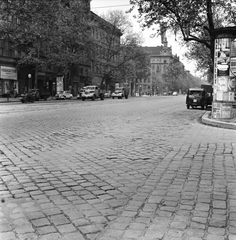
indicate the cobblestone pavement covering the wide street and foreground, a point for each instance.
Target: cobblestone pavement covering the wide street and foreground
{"x":142,"y":168}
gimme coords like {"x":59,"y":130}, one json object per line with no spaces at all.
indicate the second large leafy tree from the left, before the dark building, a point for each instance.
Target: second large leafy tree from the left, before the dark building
{"x":71,"y":41}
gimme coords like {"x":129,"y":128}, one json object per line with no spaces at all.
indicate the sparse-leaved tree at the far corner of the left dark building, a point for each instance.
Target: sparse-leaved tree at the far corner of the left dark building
{"x":117,"y":56}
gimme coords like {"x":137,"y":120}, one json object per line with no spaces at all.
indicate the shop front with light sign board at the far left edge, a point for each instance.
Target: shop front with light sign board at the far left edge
{"x":8,"y":81}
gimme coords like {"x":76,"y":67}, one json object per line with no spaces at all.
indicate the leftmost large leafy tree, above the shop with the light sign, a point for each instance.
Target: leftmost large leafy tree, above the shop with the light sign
{"x":26,"y":25}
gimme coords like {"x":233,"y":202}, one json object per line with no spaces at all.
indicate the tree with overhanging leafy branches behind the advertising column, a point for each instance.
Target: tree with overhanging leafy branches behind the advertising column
{"x":193,"y":20}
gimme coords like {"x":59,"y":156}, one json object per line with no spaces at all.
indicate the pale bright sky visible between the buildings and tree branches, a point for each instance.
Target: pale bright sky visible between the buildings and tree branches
{"x":102,"y":6}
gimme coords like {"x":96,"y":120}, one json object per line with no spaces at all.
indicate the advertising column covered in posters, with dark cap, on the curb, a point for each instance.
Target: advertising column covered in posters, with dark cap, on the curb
{"x":224,"y":75}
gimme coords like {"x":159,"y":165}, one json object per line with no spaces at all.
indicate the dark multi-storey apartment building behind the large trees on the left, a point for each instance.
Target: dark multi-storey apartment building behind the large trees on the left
{"x":89,"y":69}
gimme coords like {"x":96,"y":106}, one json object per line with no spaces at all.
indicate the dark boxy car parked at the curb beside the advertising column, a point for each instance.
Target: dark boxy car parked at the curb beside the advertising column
{"x":196,"y":97}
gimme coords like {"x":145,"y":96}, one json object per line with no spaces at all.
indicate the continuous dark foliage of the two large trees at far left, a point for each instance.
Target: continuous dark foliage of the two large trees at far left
{"x":48,"y":32}
